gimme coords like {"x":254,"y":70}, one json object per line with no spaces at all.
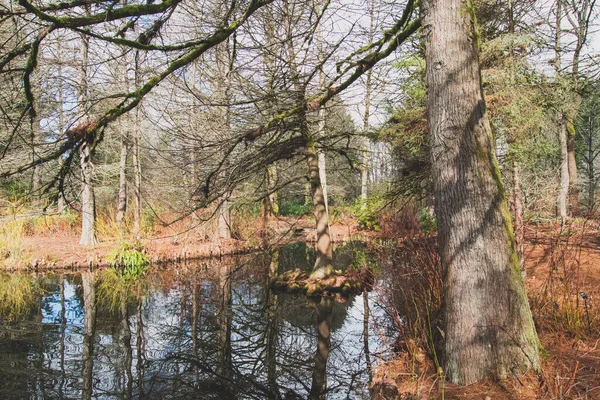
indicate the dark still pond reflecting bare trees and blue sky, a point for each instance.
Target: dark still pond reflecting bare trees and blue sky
{"x":210,"y":330}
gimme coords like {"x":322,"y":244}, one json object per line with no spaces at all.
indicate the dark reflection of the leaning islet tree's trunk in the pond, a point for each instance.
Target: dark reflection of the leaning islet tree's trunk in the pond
{"x":319,"y":376}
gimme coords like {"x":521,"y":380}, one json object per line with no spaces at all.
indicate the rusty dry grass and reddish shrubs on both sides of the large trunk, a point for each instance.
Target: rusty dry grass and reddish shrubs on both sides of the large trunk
{"x":563,"y":261}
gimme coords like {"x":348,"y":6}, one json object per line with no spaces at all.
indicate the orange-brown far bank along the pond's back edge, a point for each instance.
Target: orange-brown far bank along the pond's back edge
{"x":61,"y":250}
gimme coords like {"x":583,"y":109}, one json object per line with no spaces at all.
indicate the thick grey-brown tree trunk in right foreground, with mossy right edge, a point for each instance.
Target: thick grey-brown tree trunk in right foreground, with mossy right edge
{"x":489,"y":326}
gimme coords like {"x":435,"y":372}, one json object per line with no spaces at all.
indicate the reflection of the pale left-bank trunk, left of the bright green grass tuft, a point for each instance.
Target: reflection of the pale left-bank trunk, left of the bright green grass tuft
{"x":89,"y":328}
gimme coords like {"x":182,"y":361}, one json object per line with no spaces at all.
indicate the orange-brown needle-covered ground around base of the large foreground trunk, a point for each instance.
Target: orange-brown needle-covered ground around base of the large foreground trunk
{"x":560,"y":263}
